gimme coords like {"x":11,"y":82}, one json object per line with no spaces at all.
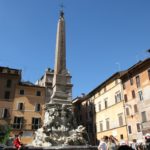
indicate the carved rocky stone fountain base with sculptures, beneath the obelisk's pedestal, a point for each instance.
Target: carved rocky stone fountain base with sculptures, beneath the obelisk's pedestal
{"x":60,"y":128}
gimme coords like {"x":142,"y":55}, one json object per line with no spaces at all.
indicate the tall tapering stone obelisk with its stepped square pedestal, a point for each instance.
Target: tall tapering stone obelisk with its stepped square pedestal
{"x":62,"y":87}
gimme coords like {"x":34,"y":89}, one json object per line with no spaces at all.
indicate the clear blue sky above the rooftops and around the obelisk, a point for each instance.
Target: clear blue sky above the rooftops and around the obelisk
{"x":103,"y":36}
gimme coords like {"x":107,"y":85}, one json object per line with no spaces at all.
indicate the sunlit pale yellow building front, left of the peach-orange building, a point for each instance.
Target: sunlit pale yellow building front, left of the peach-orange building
{"x":109,"y":107}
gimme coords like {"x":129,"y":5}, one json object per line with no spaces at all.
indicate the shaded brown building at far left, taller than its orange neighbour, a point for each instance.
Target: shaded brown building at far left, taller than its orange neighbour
{"x":9,"y":78}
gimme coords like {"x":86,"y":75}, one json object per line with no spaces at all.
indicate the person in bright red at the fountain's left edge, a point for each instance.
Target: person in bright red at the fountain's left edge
{"x":17,"y":141}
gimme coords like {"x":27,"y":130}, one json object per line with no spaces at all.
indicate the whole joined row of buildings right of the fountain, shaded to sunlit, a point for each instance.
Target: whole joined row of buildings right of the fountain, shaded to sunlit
{"x":121,"y":105}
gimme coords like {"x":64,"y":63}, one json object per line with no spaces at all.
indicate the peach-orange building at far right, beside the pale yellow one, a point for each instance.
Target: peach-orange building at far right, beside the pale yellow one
{"x":136,"y":88}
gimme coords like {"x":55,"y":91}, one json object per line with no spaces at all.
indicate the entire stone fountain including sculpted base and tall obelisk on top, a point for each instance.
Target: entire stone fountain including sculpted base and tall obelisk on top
{"x":60,"y":130}
